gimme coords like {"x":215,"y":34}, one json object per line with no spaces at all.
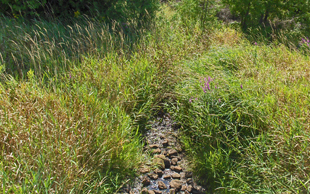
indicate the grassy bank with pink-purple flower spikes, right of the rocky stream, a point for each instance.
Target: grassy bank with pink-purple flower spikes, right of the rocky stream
{"x":244,"y":108}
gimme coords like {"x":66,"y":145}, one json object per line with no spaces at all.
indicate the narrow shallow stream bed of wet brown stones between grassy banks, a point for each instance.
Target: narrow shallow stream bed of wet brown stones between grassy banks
{"x":168,"y":171}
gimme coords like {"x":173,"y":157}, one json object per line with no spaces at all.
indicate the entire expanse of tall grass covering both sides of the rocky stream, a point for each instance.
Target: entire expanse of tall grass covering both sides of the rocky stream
{"x":75,"y":98}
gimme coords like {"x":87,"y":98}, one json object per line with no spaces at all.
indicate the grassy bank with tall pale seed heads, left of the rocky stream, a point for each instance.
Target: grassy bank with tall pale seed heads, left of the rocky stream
{"x":74,"y":98}
